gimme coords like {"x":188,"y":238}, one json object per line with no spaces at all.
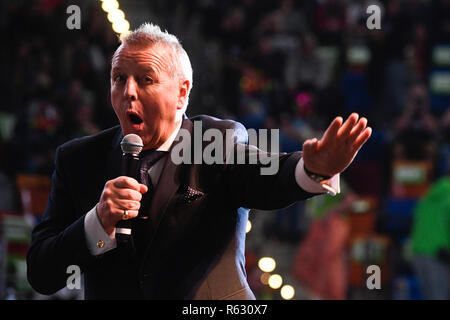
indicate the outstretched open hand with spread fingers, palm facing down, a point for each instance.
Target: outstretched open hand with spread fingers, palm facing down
{"x":338,"y":146}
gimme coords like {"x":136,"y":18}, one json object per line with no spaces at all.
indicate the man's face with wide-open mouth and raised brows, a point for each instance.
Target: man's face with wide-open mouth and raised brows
{"x":147,"y":100}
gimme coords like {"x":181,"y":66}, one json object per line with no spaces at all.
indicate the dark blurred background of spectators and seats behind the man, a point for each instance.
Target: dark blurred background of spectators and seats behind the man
{"x":291,"y":65}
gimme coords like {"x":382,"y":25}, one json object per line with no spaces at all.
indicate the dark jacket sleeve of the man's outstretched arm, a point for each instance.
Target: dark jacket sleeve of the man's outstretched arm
{"x":258,"y":184}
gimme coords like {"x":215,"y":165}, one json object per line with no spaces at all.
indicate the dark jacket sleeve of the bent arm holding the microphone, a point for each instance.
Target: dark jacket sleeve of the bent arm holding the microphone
{"x":58,"y":241}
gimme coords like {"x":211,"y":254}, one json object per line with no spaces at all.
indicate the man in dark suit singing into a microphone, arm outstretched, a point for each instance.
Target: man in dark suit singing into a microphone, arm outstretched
{"x":188,"y":229}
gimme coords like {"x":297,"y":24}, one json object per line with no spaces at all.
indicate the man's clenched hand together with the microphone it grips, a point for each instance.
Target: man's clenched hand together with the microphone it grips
{"x":120,"y":199}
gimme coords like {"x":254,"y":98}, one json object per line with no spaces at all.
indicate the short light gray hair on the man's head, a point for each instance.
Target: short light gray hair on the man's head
{"x":151,"y":34}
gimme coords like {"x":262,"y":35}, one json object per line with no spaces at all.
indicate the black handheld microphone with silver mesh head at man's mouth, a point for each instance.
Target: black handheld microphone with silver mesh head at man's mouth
{"x":131,"y":147}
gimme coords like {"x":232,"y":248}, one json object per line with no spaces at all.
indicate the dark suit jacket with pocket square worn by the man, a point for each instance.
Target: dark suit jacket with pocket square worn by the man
{"x":192,"y":247}
